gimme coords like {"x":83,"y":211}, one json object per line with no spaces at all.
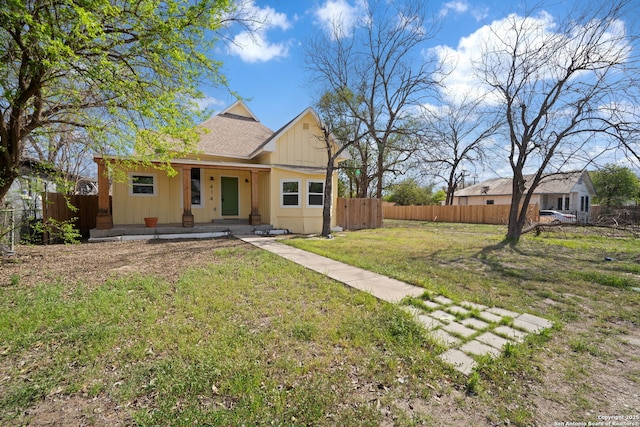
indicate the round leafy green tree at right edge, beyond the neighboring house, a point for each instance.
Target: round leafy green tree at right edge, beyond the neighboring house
{"x":615,"y":185}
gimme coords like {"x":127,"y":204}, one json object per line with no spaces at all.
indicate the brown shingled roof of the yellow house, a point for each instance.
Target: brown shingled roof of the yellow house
{"x":233,"y":134}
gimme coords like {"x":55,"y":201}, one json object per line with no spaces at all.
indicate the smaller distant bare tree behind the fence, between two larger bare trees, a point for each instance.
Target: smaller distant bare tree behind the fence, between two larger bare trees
{"x":454,"y":138}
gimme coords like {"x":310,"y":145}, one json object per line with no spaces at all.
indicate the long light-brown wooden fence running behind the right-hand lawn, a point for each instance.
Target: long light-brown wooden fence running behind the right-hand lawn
{"x":471,"y":214}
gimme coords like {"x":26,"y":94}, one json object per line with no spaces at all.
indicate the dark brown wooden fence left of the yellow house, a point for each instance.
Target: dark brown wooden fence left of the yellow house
{"x":55,"y":207}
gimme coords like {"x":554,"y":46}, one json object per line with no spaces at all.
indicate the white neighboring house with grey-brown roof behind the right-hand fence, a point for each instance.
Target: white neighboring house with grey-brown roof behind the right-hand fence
{"x":570,"y":192}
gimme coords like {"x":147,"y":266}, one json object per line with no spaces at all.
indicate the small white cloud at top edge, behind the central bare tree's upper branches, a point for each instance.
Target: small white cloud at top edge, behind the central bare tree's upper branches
{"x":338,"y":17}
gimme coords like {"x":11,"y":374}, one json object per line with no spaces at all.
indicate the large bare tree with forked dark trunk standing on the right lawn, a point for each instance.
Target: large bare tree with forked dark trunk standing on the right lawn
{"x":556,"y":87}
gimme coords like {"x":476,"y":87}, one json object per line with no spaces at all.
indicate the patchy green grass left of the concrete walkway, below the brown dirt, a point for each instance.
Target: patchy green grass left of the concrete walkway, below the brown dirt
{"x":256,"y":341}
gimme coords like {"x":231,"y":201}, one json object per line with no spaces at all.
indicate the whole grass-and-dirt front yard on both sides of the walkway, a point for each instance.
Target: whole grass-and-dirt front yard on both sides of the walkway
{"x":217,"y":332}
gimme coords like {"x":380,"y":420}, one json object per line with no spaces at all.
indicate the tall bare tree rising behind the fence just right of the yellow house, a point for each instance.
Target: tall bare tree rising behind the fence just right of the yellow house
{"x":380,"y":62}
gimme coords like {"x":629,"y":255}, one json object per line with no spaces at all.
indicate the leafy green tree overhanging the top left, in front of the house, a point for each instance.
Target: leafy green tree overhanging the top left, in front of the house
{"x":122,"y":71}
